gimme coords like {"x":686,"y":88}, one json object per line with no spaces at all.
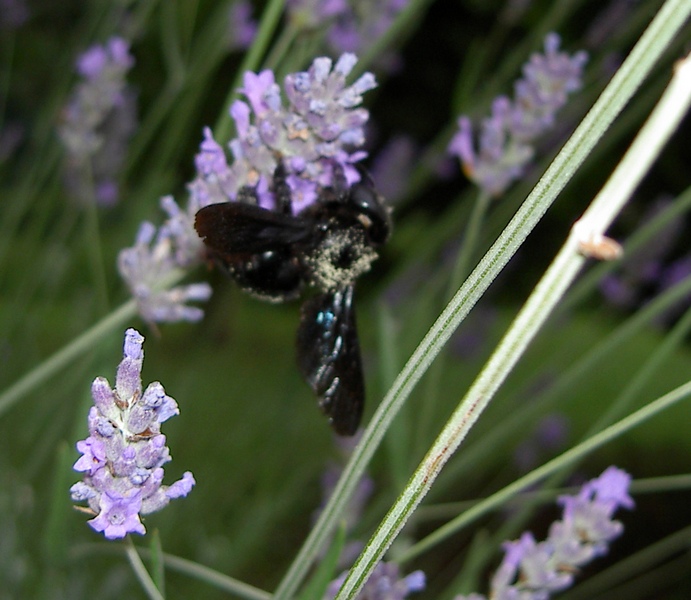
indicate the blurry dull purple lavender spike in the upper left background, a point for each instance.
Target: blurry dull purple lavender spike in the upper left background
{"x":98,"y":121}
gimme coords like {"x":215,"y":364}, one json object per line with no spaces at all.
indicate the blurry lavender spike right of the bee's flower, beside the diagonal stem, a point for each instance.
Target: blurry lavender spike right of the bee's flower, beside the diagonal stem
{"x":503,"y":148}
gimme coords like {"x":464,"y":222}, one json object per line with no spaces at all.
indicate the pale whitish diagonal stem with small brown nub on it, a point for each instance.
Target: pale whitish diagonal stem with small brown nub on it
{"x":599,"y":215}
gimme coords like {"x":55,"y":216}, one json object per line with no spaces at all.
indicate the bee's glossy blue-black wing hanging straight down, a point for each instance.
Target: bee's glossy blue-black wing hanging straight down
{"x":329,"y":357}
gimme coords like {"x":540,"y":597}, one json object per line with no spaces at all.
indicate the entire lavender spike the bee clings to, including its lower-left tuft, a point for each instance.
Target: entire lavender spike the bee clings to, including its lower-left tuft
{"x":318,"y":131}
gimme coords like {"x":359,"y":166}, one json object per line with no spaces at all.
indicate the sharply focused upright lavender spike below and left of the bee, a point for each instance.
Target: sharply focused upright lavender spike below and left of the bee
{"x":123,"y":457}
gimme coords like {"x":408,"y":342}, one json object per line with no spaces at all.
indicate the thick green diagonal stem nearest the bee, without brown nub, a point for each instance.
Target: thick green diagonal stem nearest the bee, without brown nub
{"x":620,"y":89}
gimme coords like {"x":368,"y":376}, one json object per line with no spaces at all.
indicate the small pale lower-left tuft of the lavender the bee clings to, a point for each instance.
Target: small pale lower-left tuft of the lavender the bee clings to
{"x":151,"y":264}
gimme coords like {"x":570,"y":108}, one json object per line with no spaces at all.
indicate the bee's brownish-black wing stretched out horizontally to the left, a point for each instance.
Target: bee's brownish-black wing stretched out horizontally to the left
{"x":231,"y":228}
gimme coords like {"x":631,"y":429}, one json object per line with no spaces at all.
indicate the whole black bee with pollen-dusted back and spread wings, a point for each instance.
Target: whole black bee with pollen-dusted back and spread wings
{"x":275,"y":255}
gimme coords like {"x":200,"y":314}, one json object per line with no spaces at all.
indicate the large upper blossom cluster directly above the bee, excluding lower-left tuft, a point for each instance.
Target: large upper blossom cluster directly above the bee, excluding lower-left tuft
{"x":318,"y":129}
